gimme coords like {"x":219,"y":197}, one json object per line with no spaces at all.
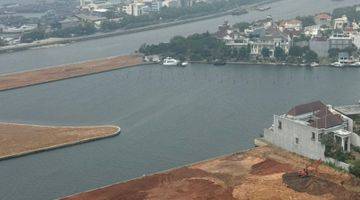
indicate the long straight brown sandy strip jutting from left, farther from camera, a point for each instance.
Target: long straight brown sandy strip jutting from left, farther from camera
{"x":27,"y":78}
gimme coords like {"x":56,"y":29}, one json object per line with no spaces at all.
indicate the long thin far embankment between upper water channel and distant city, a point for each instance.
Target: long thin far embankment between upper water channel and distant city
{"x":54,"y":41}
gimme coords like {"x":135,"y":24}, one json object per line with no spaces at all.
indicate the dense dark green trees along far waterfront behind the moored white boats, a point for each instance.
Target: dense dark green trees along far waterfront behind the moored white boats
{"x":207,"y":47}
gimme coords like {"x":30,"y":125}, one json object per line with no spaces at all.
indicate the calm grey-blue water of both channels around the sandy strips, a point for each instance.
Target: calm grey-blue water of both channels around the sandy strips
{"x":169,"y":116}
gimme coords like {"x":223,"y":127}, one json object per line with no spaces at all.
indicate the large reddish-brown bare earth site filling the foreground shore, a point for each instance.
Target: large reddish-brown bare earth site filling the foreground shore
{"x":261,"y":173}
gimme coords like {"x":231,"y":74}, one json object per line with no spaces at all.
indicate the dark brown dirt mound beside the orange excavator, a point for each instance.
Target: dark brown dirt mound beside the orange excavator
{"x":316,"y":186}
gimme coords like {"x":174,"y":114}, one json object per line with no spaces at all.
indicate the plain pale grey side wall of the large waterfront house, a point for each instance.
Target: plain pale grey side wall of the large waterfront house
{"x":286,"y":138}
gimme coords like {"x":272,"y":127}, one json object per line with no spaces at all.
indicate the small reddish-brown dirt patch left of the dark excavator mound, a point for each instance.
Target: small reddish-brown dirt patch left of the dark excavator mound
{"x":269,"y":166}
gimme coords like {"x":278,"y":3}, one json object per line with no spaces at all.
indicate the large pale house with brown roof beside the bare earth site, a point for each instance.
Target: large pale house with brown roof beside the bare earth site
{"x":301,"y":129}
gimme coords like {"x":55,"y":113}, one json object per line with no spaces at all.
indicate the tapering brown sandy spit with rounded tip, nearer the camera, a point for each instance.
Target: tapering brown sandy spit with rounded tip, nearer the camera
{"x":16,"y":139}
